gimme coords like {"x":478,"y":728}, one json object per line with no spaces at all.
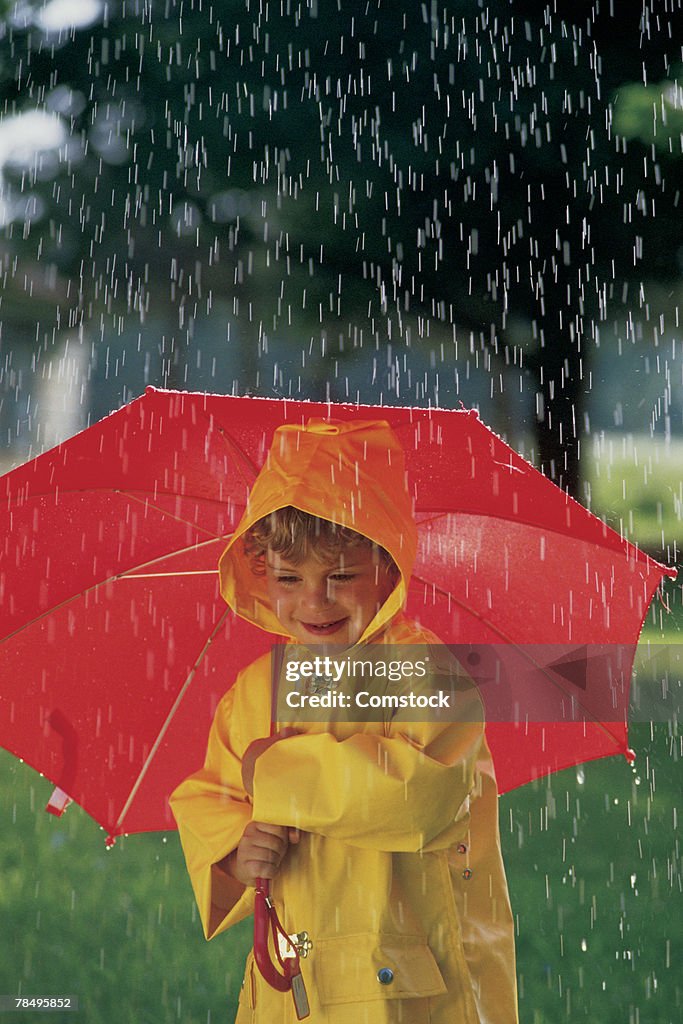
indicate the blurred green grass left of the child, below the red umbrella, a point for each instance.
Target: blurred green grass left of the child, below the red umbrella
{"x":117,"y":928}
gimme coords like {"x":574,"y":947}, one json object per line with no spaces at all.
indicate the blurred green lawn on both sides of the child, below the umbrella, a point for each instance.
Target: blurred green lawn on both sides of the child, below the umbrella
{"x":594,"y":867}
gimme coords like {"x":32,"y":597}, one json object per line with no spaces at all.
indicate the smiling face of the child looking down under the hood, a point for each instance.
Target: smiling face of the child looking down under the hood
{"x":328,"y":603}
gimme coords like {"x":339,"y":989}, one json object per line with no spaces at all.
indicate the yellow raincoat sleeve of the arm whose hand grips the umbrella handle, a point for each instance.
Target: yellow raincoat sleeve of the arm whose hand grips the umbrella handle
{"x":212,"y":809}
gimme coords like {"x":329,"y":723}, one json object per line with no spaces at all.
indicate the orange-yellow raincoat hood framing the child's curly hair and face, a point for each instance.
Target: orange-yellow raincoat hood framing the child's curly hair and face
{"x":352,"y":475}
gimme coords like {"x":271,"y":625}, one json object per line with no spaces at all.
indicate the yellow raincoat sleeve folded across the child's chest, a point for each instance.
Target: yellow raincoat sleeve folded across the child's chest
{"x":405,"y":791}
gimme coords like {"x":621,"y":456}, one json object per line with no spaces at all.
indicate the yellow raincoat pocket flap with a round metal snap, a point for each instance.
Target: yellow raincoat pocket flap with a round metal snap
{"x":368,"y":967}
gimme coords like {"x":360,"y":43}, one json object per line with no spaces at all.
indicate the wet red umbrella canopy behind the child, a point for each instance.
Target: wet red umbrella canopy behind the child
{"x":116,"y":646}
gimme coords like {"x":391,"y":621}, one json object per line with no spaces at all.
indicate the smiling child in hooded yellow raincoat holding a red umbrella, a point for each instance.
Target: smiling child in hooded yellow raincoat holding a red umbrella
{"x":380,"y":839}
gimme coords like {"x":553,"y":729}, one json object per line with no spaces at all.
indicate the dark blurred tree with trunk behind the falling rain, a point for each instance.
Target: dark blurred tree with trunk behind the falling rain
{"x":457,"y":161}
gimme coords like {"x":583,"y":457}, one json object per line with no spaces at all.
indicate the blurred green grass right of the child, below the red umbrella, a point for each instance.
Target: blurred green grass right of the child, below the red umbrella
{"x":595,"y":875}
